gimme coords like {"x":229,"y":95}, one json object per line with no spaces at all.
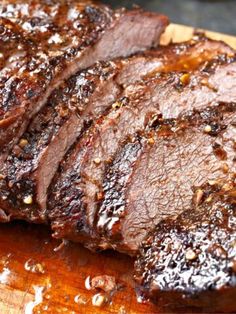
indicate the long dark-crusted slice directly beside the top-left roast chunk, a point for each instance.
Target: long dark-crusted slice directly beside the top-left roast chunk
{"x":70,"y":110}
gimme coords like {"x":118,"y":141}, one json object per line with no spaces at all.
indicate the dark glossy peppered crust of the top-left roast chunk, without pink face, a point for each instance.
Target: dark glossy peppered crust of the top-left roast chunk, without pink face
{"x":38,"y":41}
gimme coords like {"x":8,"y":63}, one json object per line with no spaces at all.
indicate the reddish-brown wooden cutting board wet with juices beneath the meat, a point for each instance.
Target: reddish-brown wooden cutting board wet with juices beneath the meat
{"x":34,"y":278}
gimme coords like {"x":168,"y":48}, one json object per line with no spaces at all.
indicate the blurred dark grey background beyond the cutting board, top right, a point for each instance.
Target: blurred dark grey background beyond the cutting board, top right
{"x":216,"y":15}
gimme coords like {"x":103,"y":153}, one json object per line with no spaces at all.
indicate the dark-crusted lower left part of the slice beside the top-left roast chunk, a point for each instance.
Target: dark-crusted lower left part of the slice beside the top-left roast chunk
{"x":33,"y":162}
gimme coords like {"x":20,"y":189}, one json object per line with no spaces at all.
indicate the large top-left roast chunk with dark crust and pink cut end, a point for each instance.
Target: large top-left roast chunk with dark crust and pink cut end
{"x":45,"y":42}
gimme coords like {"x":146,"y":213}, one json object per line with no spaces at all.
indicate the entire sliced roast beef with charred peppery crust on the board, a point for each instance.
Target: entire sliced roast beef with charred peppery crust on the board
{"x":118,"y":144}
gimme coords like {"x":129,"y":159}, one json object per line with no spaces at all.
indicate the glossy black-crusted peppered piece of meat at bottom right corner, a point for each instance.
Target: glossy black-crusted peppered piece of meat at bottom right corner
{"x":190,"y":261}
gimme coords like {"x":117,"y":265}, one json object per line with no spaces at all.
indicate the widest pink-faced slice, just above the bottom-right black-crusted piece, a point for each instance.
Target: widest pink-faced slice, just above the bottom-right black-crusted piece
{"x":164,"y":178}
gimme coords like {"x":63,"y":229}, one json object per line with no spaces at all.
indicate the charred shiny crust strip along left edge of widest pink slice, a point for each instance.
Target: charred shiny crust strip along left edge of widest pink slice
{"x":115,"y":180}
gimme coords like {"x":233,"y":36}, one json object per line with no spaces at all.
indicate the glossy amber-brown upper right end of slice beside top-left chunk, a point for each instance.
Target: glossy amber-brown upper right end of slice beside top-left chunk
{"x":174,"y":57}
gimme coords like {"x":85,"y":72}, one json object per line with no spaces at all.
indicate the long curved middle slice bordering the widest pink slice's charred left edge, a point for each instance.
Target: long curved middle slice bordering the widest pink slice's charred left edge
{"x":80,"y":181}
